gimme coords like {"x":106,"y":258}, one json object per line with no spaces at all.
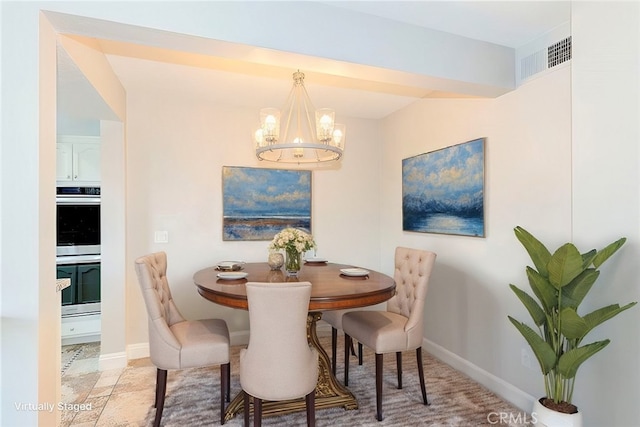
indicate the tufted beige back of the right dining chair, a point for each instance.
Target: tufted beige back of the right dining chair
{"x":412,"y":271}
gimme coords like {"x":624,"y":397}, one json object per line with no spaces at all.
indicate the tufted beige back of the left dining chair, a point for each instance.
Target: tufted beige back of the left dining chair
{"x":164,"y":347}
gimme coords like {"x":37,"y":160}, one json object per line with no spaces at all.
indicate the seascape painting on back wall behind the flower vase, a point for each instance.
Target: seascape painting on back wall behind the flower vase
{"x":258,"y":203}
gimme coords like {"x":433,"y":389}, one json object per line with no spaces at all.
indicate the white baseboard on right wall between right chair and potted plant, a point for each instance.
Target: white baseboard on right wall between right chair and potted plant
{"x":505,"y":390}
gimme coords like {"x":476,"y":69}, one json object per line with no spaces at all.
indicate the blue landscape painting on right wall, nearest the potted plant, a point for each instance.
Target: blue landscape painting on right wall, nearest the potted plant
{"x":443,"y":191}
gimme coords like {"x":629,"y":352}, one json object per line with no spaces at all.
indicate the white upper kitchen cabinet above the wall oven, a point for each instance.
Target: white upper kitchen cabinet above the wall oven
{"x":78,"y":160}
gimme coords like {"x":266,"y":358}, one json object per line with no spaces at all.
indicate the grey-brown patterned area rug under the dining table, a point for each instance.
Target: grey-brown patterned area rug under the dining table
{"x":455,"y":400}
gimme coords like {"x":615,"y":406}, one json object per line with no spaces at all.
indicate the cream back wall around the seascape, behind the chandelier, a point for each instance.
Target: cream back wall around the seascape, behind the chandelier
{"x":175,"y":153}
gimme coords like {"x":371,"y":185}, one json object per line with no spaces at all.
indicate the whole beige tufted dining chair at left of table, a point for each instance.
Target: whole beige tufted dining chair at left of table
{"x":176,"y":343}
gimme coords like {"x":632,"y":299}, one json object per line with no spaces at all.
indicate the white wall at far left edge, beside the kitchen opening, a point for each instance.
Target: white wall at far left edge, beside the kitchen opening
{"x":28,"y":138}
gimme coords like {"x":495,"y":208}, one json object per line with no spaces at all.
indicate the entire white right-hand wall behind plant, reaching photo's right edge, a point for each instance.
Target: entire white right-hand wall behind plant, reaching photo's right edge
{"x":562,"y":161}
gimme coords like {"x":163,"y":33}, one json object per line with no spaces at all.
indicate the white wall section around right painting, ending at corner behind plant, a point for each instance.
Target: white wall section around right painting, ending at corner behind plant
{"x":527,"y":183}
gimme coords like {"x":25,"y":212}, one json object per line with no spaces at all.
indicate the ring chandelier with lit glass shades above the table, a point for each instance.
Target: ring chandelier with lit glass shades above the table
{"x":299,"y":133}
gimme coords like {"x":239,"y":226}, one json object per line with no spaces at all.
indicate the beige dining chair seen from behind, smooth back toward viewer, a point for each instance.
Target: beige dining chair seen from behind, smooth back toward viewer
{"x":278,"y":363}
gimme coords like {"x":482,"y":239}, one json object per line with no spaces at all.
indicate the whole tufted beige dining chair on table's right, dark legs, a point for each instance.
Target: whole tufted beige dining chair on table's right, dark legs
{"x":400,"y":327}
